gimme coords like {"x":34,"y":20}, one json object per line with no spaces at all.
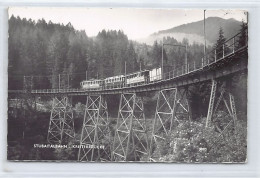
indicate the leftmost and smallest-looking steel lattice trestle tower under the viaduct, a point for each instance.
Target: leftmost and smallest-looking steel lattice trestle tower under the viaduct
{"x":61,"y":125}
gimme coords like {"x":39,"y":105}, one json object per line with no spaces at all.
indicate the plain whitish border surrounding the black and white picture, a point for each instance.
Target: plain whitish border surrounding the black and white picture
{"x":28,"y":169}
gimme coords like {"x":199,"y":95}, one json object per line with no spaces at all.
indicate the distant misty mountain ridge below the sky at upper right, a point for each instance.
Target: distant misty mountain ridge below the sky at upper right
{"x":194,"y":31}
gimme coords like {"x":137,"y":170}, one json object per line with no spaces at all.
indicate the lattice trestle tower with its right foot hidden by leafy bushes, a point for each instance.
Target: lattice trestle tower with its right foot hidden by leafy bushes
{"x":172,"y":104}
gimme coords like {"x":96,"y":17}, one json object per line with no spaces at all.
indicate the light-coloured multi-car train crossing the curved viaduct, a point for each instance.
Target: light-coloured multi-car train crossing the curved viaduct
{"x":120,"y":81}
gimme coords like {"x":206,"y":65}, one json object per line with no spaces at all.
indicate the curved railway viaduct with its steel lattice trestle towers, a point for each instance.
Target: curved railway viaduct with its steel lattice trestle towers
{"x":131,"y":125}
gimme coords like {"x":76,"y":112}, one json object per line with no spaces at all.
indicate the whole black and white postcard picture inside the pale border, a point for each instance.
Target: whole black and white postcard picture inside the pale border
{"x":127,"y":85}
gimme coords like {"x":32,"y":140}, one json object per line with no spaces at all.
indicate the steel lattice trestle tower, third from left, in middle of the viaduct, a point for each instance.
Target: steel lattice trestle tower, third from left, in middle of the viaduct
{"x":131,"y":132}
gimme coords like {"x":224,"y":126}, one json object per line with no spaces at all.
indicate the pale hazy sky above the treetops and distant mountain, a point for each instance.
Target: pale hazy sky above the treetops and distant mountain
{"x":136,"y":23}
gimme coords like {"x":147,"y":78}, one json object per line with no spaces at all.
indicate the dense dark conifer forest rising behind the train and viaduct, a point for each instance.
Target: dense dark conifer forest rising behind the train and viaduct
{"x":42,"y":51}
